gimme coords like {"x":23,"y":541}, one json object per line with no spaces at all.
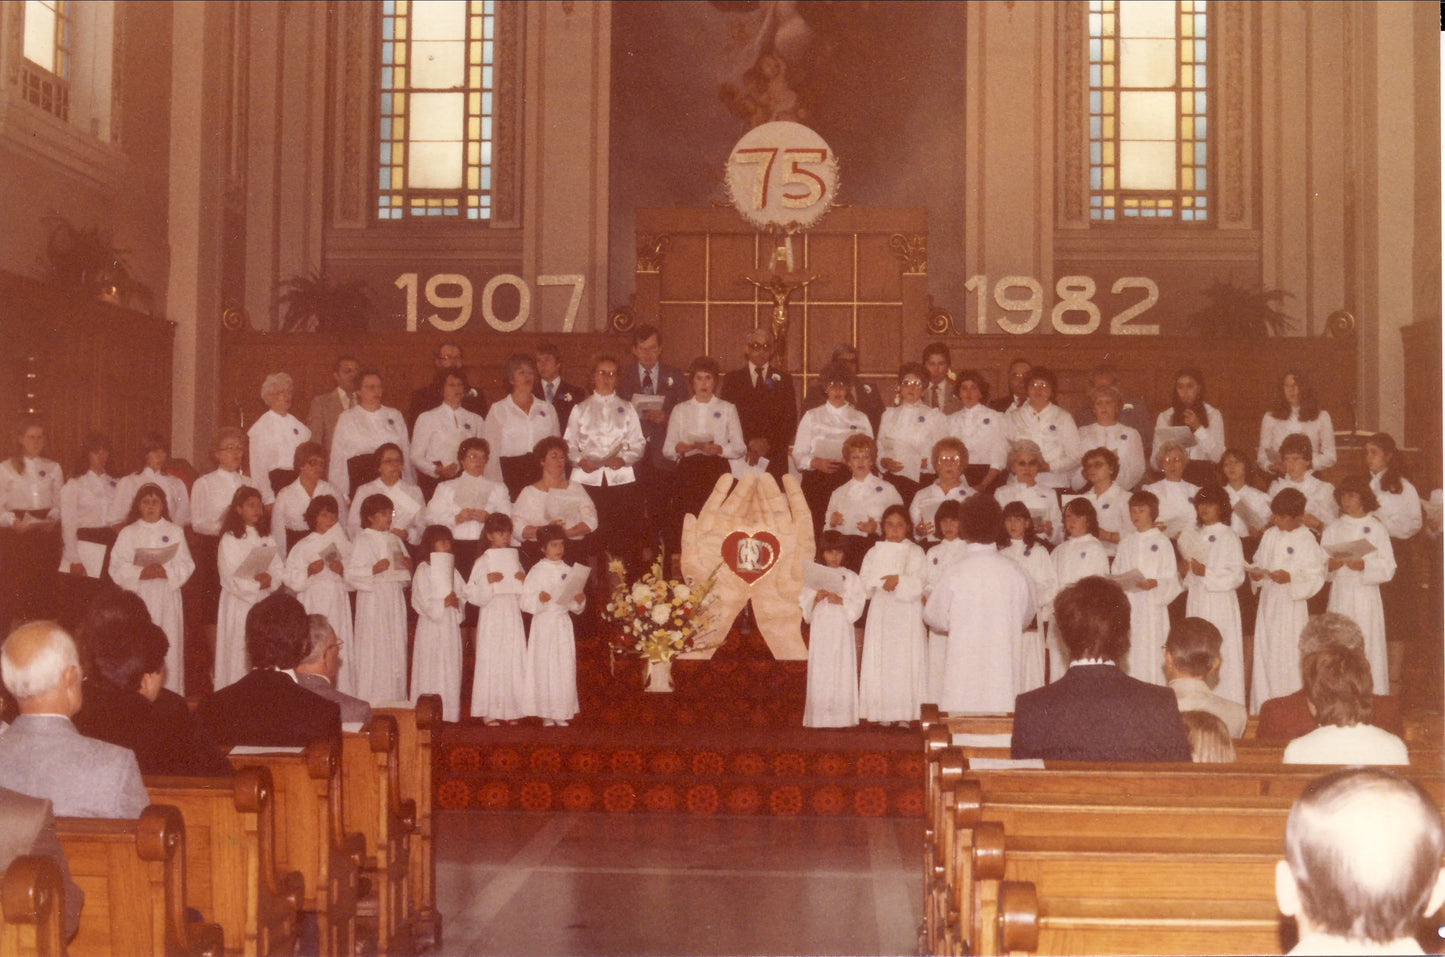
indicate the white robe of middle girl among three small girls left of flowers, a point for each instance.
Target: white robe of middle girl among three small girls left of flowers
{"x":499,"y":685}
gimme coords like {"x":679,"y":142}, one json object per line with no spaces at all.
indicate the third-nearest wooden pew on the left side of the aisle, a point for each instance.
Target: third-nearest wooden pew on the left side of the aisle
{"x":232,"y":859}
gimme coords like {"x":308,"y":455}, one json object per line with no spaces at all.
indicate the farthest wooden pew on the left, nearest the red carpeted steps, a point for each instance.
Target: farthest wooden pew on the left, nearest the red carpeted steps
{"x":417,"y":731}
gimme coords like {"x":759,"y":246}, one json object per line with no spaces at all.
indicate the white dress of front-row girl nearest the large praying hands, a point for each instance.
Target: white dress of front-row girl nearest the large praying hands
{"x":833,"y":656}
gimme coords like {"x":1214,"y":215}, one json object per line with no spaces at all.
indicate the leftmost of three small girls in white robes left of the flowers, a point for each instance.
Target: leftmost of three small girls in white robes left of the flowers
{"x":437,"y":602}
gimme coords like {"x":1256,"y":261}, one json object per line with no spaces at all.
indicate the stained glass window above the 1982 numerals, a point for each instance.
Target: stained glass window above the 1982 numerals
{"x":1148,"y":102}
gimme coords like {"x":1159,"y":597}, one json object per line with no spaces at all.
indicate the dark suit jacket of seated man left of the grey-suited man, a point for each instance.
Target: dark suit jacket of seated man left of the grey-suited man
{"x":267,"y":709}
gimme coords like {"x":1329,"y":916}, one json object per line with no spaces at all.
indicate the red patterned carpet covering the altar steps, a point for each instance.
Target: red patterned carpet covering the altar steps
{"x":728,"y":741}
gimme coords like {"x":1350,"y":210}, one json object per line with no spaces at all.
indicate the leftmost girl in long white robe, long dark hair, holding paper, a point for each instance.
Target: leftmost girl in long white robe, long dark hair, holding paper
{"x":158,"y":586}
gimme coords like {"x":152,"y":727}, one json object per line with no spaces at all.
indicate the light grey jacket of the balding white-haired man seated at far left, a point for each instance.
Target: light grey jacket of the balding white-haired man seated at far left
{"x":46,"y":757}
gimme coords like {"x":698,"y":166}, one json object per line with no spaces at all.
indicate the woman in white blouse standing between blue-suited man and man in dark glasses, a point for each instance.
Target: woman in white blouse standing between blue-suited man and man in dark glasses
{"x":704,"y":437}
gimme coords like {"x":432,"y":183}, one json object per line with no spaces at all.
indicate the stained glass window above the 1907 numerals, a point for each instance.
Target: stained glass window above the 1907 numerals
{"x":436,"y":109}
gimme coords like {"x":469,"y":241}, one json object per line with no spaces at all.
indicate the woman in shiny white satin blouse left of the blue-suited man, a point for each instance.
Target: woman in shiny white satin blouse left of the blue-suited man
{"x":605,"y":442}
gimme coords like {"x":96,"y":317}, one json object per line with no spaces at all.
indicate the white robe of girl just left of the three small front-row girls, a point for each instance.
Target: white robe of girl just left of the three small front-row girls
{"x":381,"y":624}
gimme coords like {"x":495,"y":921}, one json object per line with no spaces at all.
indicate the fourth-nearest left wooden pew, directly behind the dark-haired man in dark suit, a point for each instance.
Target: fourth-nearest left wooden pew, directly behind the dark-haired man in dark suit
{"x":311,"y":836}
